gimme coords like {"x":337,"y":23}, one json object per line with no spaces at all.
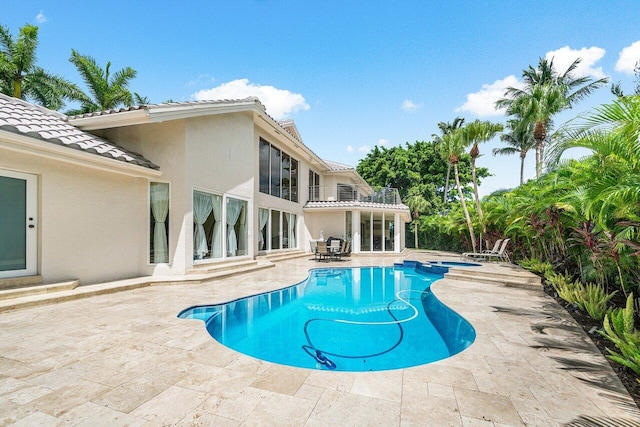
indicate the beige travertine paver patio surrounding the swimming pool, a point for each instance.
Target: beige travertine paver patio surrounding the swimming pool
{"x":126,"y":359}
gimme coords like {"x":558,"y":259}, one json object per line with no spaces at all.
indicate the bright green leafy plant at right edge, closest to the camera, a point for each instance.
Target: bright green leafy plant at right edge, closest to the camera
{"x":620,"y":330}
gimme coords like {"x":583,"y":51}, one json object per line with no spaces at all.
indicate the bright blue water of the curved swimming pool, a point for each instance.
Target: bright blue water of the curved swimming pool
{"x":344,"y":319}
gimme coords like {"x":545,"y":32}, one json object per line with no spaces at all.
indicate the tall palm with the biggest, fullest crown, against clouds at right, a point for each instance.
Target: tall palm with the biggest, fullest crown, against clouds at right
{"x":546,"y":92}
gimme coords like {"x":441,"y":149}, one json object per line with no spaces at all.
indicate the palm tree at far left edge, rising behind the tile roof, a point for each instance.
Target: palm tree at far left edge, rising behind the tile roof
{"x":21,"y":78}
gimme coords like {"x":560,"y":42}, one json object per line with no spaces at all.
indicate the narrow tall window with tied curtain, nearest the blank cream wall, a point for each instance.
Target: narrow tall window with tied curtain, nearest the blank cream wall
{"x":159,"y":216}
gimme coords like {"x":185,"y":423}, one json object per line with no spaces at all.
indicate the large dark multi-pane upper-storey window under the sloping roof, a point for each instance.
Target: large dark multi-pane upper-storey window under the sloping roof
{"x":278,"y":172}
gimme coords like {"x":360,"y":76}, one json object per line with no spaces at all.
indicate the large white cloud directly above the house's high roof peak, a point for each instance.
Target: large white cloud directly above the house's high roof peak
{"x":279,"y":102}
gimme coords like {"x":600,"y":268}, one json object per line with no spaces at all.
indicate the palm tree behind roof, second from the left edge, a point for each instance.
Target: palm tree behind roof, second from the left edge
{"x":107,"y":91}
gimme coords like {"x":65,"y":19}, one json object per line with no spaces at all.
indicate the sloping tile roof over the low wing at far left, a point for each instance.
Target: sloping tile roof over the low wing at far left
{"x":20,"y":117}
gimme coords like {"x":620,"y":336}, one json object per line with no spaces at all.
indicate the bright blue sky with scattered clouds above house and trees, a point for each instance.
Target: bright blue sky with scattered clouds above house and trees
{"x":352,"y":74}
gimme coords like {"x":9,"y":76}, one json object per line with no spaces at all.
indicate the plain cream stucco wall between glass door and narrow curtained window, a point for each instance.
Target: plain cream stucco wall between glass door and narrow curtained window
{"x":88,"y":220}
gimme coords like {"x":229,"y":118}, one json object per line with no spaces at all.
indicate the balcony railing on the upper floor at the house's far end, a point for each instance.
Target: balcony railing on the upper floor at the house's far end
{"x":347,"y":193}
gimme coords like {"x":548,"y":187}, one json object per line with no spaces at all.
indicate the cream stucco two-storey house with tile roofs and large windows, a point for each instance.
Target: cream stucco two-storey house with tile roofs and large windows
{"x":162,"y":189}
